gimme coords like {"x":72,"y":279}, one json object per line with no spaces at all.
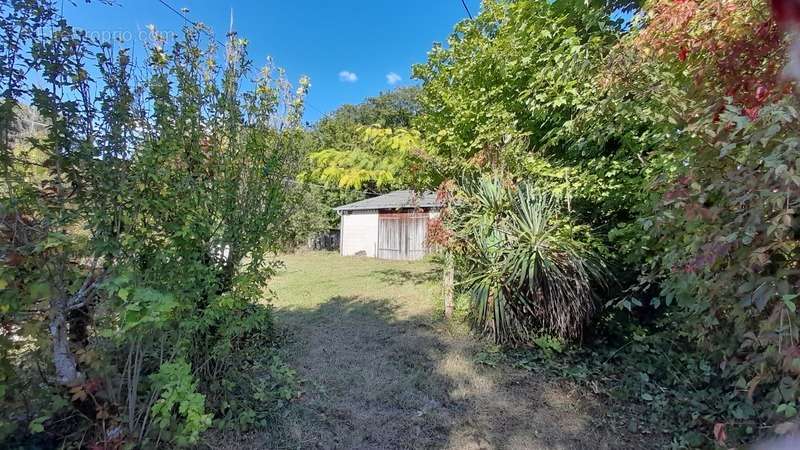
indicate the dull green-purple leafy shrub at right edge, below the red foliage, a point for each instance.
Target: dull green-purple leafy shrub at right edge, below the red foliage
{"x":729,"y":251}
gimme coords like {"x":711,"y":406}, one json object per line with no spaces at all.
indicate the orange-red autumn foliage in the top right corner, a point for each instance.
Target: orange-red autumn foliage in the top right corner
{"x":729,"y":47}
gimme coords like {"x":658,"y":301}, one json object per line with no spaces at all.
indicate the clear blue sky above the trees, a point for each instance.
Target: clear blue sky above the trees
{"x":351,"y":49}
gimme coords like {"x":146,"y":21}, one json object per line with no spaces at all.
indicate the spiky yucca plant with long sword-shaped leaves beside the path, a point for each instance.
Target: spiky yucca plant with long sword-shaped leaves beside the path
{"x":529,"y":270}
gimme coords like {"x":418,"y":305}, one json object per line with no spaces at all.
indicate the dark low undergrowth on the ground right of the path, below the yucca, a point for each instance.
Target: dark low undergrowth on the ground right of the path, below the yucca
{"x":654,"y":385}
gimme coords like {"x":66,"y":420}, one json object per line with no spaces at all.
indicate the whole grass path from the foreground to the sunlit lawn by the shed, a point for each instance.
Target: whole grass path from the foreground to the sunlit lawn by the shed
{"x":379,"y":371}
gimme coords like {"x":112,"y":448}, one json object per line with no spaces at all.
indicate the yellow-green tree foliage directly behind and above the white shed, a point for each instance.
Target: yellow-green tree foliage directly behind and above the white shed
{"x":358,"y":149}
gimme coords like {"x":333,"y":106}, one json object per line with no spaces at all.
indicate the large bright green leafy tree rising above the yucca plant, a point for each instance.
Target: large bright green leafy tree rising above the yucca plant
{"x":510,"y":95}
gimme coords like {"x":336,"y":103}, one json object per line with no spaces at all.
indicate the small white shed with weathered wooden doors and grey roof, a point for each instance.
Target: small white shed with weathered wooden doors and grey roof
{"x":391,"y":226}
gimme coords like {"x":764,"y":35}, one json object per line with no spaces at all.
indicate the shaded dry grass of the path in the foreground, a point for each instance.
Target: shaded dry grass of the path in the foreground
{"x":372,"y":379}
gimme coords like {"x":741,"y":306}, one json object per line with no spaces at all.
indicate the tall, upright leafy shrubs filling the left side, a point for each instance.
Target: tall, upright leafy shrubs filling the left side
{"x":136,"y":231}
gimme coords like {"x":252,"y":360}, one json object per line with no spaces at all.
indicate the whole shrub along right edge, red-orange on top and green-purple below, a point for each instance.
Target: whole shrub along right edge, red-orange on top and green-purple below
{"x":726,"y":229}
